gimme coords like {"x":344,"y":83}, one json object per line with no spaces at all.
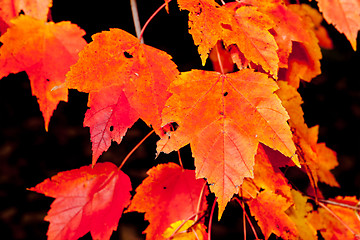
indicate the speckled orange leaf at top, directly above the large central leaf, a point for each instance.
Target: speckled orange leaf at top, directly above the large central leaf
{"x":243,"y":26}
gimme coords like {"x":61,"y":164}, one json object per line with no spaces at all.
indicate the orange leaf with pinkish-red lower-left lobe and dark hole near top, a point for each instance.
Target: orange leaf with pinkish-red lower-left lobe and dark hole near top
{"x":135,"y":75}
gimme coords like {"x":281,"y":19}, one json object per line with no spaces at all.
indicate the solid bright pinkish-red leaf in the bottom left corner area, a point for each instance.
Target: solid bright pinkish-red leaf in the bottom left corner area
{"x":87,"y":199}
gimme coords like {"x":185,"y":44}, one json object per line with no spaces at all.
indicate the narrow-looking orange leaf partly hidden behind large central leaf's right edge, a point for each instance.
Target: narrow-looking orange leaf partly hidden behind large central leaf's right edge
{"x":316,"y":157}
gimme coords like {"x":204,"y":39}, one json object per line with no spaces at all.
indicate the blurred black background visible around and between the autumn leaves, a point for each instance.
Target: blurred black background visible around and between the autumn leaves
{"x":28,"y":154}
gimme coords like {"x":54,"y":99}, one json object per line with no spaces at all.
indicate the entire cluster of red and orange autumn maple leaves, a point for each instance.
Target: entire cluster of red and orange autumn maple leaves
{"x":243,"y":120}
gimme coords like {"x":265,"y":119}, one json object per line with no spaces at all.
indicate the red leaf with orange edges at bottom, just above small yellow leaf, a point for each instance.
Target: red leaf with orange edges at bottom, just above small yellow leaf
{"x":168,"y":195}
